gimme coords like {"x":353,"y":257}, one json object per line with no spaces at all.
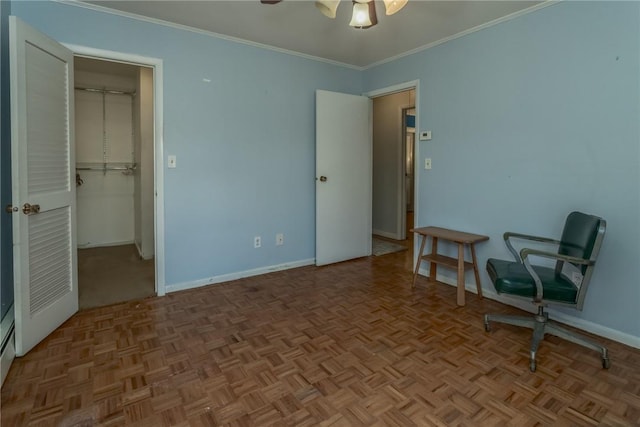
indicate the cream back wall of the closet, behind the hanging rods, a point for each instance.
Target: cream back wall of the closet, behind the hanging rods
{"x":104,"y":141}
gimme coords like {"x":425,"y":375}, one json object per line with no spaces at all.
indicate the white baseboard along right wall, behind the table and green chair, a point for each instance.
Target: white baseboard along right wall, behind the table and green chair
{"x":560,"y":317}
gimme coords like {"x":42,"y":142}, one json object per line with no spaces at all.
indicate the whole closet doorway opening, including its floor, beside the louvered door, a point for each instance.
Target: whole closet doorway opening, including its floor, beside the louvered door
{"x":114,"y":181}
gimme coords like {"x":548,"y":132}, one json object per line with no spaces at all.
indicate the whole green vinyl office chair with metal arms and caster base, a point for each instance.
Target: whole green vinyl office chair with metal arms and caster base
{"x":566,"y":284}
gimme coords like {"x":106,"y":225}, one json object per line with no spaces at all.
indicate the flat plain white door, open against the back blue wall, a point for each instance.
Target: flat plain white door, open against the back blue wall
{"x":343,"y":177}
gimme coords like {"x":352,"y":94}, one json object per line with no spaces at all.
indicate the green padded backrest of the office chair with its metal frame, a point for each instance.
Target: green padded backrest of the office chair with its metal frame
{"x":582,"y":237}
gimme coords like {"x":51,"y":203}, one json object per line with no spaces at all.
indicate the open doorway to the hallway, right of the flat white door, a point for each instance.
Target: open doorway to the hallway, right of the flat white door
{"x":393,"y":153}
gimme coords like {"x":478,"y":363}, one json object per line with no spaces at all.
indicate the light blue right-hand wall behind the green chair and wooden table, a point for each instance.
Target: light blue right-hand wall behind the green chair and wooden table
{"x":531,"y":119}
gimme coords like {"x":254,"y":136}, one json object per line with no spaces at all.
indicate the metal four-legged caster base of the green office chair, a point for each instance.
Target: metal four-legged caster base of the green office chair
{"x":541,"y":326}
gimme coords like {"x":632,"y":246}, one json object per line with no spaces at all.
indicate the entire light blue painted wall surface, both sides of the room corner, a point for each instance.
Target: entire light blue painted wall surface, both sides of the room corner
{"x":531,"y":118}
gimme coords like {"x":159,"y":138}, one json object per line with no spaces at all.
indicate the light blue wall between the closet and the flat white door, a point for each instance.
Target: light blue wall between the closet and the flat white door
{"x":245,"y":142}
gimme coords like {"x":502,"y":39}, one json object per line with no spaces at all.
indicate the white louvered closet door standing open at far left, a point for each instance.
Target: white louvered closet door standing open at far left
{"x":43,"y":167}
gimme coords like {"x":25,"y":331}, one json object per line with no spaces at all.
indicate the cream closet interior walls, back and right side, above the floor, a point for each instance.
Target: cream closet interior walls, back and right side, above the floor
{"x":114,"y":155}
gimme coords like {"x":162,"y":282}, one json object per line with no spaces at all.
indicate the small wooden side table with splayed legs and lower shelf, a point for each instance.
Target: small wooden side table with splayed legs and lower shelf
{"x":462,"y":239}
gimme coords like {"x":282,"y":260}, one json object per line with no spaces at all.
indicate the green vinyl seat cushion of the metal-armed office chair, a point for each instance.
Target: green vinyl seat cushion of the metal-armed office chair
{"x":512,"y":278}
